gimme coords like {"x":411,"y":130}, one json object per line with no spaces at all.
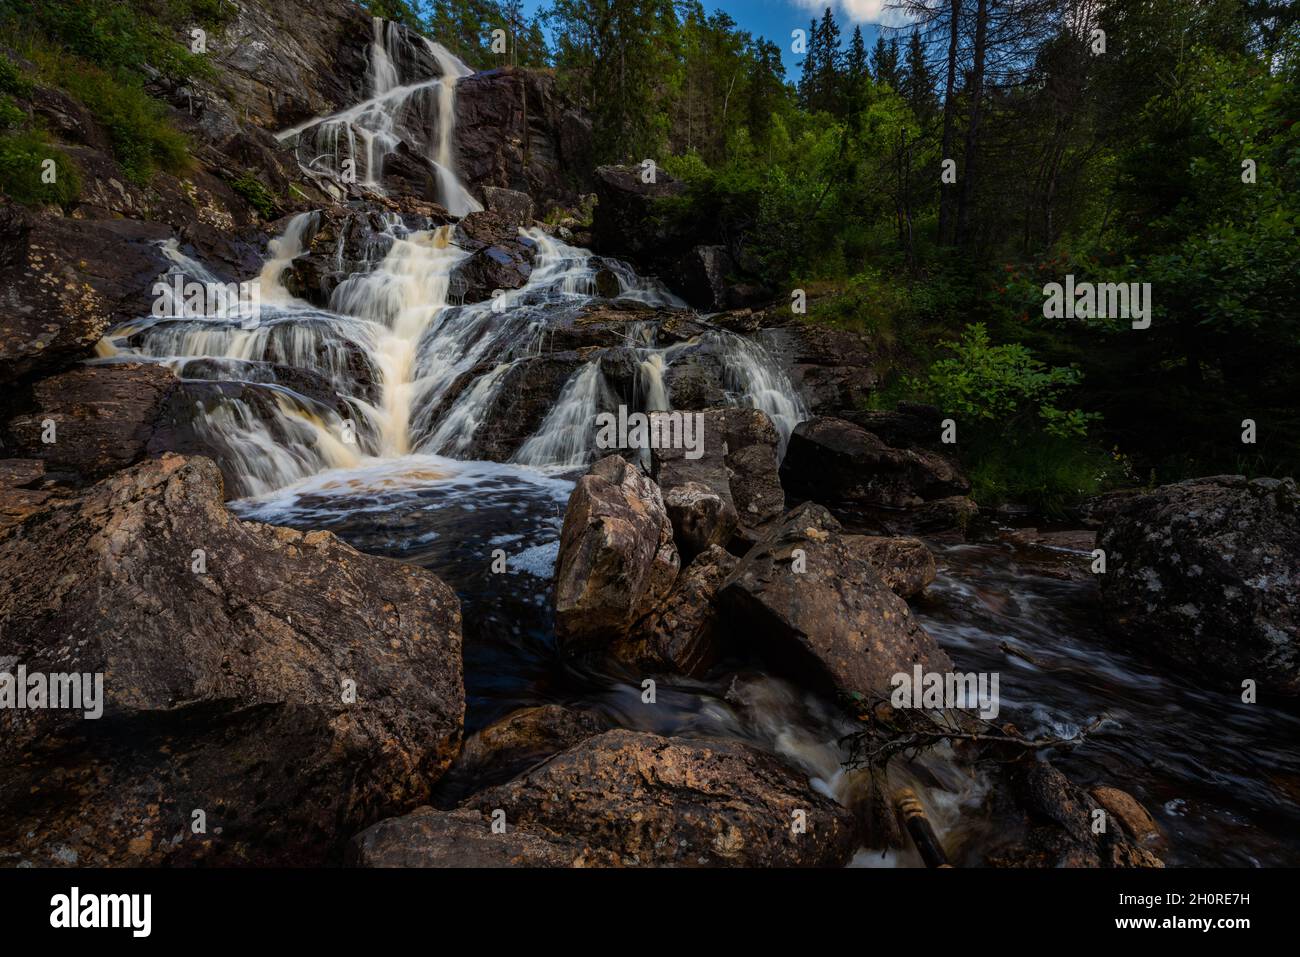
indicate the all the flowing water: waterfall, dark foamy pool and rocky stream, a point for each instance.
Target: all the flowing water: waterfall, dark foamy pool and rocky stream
{"x":385,"y":462}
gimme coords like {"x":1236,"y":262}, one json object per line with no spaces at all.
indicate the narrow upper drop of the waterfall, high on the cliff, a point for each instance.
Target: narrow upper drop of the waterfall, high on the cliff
{"x":405,"y":106}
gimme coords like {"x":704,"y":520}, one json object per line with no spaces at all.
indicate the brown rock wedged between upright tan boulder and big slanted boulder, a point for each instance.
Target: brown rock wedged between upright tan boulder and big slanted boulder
{"x":683,"y":635}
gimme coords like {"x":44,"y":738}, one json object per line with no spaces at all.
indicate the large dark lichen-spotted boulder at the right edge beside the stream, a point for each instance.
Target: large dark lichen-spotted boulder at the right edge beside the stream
{"x":1207,"y":574}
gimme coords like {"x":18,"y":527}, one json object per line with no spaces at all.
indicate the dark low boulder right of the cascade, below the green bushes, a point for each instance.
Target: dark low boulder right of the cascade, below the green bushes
{"x":837,"y":462}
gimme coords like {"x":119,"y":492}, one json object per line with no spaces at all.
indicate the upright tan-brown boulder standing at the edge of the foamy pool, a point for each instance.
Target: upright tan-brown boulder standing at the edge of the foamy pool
{"x":617,"y":558}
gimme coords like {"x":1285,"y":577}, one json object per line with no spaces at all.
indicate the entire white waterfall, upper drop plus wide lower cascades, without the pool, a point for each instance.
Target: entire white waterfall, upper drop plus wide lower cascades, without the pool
{"x":395,"y":369}
